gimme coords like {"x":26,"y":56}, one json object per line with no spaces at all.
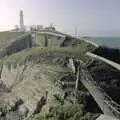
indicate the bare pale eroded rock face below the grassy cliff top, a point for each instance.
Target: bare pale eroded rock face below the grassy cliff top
{"x":29,"y":87}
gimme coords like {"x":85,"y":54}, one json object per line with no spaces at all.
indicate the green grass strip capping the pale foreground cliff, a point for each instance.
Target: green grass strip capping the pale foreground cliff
{"x":37,"y":54}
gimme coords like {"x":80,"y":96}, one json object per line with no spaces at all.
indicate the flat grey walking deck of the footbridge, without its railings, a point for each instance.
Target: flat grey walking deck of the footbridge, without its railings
{"x":96,"y":93}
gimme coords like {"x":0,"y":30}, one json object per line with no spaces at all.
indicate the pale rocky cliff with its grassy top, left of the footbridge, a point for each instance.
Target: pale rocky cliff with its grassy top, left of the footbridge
{"x":31,"y":83}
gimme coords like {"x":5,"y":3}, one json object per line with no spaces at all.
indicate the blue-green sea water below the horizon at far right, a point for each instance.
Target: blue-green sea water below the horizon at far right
{"x":113,"y":42}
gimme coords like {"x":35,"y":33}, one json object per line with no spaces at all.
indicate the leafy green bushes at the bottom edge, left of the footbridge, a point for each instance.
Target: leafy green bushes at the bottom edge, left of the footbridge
{"x":67,"y":112}
